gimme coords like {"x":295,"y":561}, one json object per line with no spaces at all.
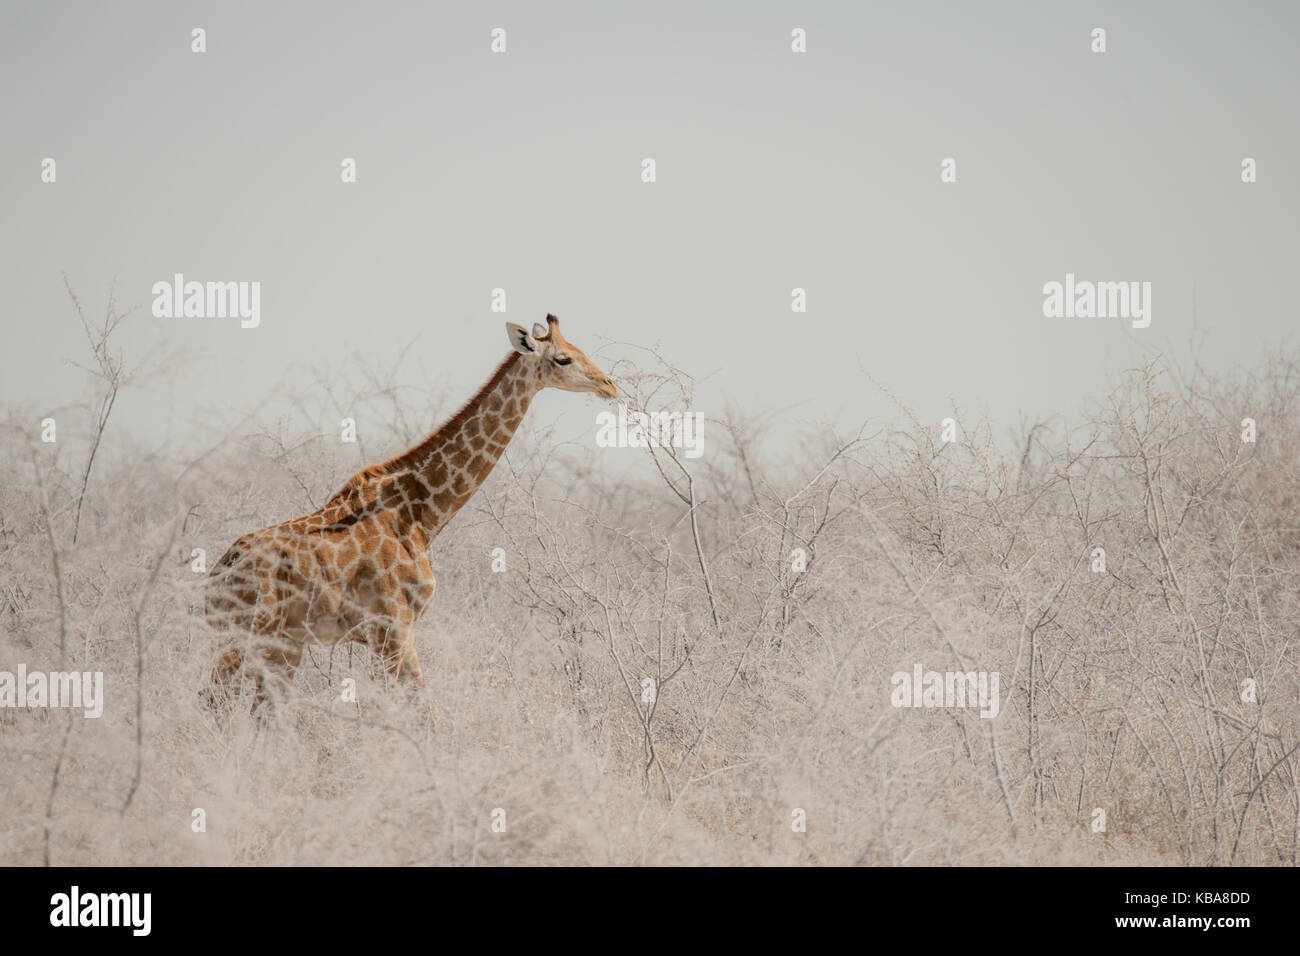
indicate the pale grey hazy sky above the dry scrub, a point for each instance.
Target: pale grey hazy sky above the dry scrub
{"x":774,"y":171}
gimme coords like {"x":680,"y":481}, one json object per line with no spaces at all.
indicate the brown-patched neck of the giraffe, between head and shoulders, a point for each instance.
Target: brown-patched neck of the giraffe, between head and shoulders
{"x":453,"y":462}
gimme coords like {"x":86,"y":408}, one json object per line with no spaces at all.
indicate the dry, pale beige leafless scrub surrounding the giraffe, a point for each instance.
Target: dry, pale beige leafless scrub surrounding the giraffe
{"x":652,"y":681}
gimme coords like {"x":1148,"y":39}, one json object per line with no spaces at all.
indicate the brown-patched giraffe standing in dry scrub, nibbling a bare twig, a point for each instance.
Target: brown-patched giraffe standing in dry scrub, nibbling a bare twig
{"x":358,"y":568}
